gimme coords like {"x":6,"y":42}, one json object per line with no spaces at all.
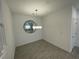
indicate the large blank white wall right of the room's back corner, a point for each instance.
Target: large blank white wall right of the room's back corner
{"x":57,"y":28}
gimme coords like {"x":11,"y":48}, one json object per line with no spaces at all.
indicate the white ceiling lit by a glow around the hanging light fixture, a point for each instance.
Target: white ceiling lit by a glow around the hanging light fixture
{"x":44,"y":6}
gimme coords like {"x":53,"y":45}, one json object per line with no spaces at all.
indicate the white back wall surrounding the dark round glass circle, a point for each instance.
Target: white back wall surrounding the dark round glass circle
{"x":21,"y":36}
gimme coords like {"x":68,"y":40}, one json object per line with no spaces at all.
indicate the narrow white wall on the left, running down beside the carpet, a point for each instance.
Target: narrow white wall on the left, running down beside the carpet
{"x":7,"y":19}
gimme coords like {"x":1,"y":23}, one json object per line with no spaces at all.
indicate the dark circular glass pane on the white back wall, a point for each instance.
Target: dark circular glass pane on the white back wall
{"x":28,"y":26}
